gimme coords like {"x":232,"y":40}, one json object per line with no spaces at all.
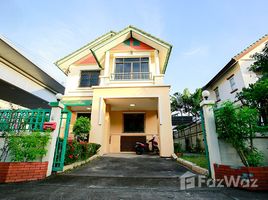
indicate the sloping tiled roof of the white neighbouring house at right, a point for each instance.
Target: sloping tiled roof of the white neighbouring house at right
{"x":235,"y":59}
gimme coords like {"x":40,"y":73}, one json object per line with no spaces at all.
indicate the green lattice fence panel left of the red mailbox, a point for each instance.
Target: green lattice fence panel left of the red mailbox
{"x":18,"y":120}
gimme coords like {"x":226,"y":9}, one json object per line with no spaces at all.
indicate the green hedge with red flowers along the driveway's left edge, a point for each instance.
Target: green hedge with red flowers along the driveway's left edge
{"x":76,"y":151}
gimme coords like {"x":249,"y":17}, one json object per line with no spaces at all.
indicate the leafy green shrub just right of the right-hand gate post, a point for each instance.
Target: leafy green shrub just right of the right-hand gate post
{"x":237,"y":126}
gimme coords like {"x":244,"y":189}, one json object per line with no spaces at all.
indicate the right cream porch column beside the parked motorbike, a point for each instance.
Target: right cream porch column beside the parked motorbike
{"x":165,"y":128}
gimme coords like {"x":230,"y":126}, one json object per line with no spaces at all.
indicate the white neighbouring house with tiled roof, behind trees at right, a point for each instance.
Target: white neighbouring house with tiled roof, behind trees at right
{"x":235,"y":75}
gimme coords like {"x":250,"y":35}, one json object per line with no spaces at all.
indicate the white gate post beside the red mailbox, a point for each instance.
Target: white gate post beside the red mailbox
{"x":55,"y":116}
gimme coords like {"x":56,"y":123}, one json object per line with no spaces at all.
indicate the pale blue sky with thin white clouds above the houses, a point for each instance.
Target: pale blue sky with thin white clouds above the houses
{"x":204,"y":34}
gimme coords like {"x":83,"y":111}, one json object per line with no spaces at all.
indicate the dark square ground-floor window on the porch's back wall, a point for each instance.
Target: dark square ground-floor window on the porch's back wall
{"x":134,"y":123}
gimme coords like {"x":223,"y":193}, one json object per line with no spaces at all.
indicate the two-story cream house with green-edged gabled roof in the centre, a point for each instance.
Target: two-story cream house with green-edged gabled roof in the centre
{"x":117,"y":81}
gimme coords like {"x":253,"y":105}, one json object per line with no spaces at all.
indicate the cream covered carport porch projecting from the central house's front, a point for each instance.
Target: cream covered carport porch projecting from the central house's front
{"x":118,"y":121}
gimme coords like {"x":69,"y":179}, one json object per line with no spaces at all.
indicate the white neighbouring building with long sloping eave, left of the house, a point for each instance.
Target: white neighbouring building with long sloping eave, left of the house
{"x":23,"y":84}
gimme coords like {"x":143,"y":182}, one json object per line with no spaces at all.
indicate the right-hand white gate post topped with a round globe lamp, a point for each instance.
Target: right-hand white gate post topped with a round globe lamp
{"x":211,"y":135}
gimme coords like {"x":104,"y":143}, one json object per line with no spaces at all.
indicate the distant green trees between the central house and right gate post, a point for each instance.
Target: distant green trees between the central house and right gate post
{"x":187,"y":103}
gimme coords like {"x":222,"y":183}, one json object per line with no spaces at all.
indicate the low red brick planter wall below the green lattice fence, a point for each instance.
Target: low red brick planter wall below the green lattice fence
{"x":22,"y":171}
